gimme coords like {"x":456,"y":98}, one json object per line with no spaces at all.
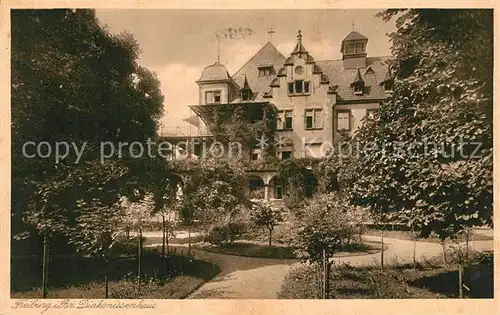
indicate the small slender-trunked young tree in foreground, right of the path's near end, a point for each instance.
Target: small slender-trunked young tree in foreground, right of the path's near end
{"x":323,"y":231}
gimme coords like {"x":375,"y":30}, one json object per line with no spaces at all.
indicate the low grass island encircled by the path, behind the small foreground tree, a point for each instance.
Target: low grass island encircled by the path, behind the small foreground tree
{"x":279,"y":251}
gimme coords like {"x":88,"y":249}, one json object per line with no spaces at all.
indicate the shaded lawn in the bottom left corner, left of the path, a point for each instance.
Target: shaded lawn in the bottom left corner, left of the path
{"x":174,"y":278}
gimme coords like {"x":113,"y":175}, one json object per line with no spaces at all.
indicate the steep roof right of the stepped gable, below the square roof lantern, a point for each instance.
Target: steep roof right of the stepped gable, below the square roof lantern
{"x":342,"y":78}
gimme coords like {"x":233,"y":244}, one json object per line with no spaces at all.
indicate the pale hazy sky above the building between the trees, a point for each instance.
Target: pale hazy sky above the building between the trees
{"x":178,"y":44}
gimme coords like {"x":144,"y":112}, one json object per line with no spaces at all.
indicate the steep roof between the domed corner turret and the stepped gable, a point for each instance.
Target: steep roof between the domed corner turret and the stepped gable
{"x":268,"y":55}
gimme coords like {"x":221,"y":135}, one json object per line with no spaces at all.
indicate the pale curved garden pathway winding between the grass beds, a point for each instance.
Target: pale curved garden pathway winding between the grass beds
{"x":261,"y":278}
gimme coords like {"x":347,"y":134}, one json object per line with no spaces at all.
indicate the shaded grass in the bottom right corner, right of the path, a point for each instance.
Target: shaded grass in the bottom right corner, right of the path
{"x":394,"y":282}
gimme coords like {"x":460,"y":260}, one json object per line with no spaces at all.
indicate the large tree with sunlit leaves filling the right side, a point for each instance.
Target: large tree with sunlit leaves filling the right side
{"x":430,"y":155}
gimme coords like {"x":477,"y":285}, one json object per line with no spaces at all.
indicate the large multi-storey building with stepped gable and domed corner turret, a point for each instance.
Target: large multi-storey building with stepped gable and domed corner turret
{"x":301,"y":105}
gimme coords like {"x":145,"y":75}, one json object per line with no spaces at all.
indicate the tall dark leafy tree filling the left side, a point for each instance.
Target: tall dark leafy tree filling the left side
{"x":72,"y":81}
